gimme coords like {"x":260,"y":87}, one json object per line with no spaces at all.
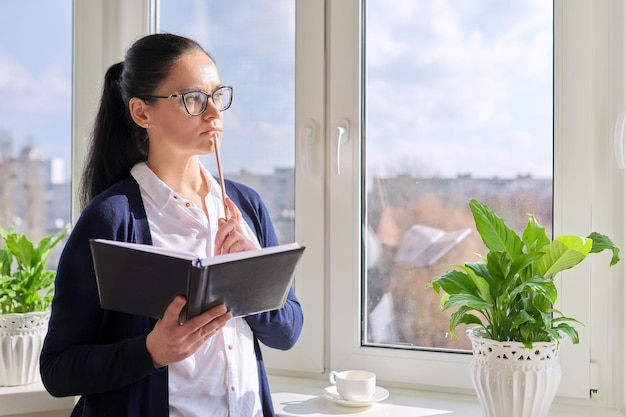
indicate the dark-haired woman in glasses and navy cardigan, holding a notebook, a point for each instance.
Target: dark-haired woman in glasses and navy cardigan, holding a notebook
{"x":143,"y":182}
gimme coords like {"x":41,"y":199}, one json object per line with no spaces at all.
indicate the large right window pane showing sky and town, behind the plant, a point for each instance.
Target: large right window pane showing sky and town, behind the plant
{"x":458,"y":105}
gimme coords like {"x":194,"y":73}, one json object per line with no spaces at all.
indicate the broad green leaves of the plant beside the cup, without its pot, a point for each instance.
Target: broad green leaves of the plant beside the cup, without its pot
{"x":512,"y":288}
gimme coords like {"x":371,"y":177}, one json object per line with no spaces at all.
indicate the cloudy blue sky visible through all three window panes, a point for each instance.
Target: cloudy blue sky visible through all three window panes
{"x":452,"y":86}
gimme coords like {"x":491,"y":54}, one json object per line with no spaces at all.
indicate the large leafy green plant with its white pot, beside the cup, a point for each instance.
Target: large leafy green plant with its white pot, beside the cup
{"x":510,"y":295}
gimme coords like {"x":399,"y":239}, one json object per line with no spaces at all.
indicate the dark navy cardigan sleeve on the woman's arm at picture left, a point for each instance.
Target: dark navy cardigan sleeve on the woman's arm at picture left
{"x":88,"y":350}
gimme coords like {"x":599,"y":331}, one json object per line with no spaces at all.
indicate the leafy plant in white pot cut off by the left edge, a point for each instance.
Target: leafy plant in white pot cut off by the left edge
{"x":26,"y":290}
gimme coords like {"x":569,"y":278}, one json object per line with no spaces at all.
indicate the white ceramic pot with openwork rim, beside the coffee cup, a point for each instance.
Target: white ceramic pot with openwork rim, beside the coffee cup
{"x":511,"y":380}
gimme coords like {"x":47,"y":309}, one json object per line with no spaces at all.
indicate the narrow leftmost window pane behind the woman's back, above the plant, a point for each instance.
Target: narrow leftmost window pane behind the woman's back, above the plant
{"x":35,"y":117}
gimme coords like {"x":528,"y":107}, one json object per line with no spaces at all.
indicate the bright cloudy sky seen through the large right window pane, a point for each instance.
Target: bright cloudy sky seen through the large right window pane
{"x":445,"y":77}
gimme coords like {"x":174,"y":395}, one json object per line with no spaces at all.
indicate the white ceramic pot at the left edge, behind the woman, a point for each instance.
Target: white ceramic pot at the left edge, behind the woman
{"x":21,"y":339}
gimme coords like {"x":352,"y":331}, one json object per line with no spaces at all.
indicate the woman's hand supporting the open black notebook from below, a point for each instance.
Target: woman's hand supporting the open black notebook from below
{"x":171,"y":341}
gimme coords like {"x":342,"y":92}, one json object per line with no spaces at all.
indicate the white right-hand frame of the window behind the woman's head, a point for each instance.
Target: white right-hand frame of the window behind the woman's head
{"x":308,"y":356}
